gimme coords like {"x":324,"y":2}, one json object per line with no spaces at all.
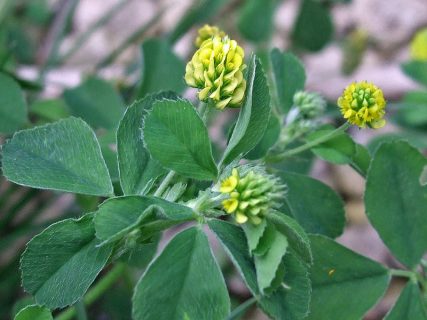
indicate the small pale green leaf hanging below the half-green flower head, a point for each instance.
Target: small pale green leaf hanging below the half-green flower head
{"x":267,"y":265}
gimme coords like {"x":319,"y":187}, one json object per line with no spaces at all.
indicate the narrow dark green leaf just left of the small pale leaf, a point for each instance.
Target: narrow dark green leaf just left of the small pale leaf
{"x":234,"y":241}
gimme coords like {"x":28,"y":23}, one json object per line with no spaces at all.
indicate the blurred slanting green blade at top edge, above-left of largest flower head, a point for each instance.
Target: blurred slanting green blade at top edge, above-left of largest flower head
{"x":199,"y":12}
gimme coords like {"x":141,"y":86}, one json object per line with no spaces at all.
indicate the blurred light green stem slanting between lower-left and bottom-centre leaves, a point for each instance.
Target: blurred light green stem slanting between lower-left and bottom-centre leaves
{"x":98,"y":290}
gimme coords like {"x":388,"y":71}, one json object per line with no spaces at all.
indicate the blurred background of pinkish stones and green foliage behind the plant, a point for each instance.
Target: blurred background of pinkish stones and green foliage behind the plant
{"x":66,"y":54}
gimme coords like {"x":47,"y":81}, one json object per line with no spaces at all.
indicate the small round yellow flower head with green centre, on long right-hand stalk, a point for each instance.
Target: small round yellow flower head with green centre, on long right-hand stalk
{"x":363,"y":104}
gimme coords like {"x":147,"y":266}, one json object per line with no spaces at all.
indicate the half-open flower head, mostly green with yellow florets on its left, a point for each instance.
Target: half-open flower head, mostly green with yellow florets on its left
{"x":252,"y":193}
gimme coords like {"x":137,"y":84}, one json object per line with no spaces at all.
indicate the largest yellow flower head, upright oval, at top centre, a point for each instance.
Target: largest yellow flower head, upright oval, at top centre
{"x":216,"y":68}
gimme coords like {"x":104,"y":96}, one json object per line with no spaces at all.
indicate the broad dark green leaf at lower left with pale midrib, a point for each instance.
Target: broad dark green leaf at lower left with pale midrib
{"x":60,"y":264}
